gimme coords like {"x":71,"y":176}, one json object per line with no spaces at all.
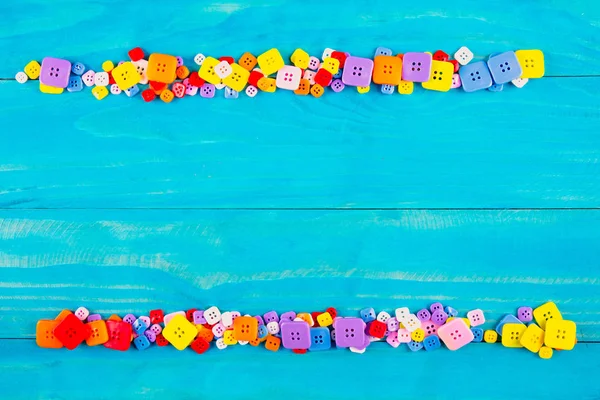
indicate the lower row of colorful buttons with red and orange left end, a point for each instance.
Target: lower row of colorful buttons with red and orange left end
{"x":231,"y":328}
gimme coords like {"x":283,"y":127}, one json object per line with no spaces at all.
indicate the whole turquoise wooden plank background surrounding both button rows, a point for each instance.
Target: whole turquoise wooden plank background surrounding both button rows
{"x":476,"y":200}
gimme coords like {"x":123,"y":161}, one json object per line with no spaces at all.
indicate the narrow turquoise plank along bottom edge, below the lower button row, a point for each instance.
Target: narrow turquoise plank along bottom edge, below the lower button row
{"x":478,"y":371}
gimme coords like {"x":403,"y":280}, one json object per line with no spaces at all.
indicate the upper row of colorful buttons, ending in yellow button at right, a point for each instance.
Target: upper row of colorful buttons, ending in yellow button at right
{"x":386,"y":70}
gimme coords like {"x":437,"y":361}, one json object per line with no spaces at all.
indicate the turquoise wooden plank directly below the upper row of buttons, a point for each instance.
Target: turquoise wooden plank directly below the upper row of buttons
{"x":534,"y":147}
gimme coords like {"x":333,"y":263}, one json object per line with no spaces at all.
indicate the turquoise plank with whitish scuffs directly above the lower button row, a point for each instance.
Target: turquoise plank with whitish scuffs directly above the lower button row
{"x":252,"y":261}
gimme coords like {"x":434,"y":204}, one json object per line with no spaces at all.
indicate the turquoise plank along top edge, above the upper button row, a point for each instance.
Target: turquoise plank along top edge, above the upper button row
{"x":93,"y":31}
